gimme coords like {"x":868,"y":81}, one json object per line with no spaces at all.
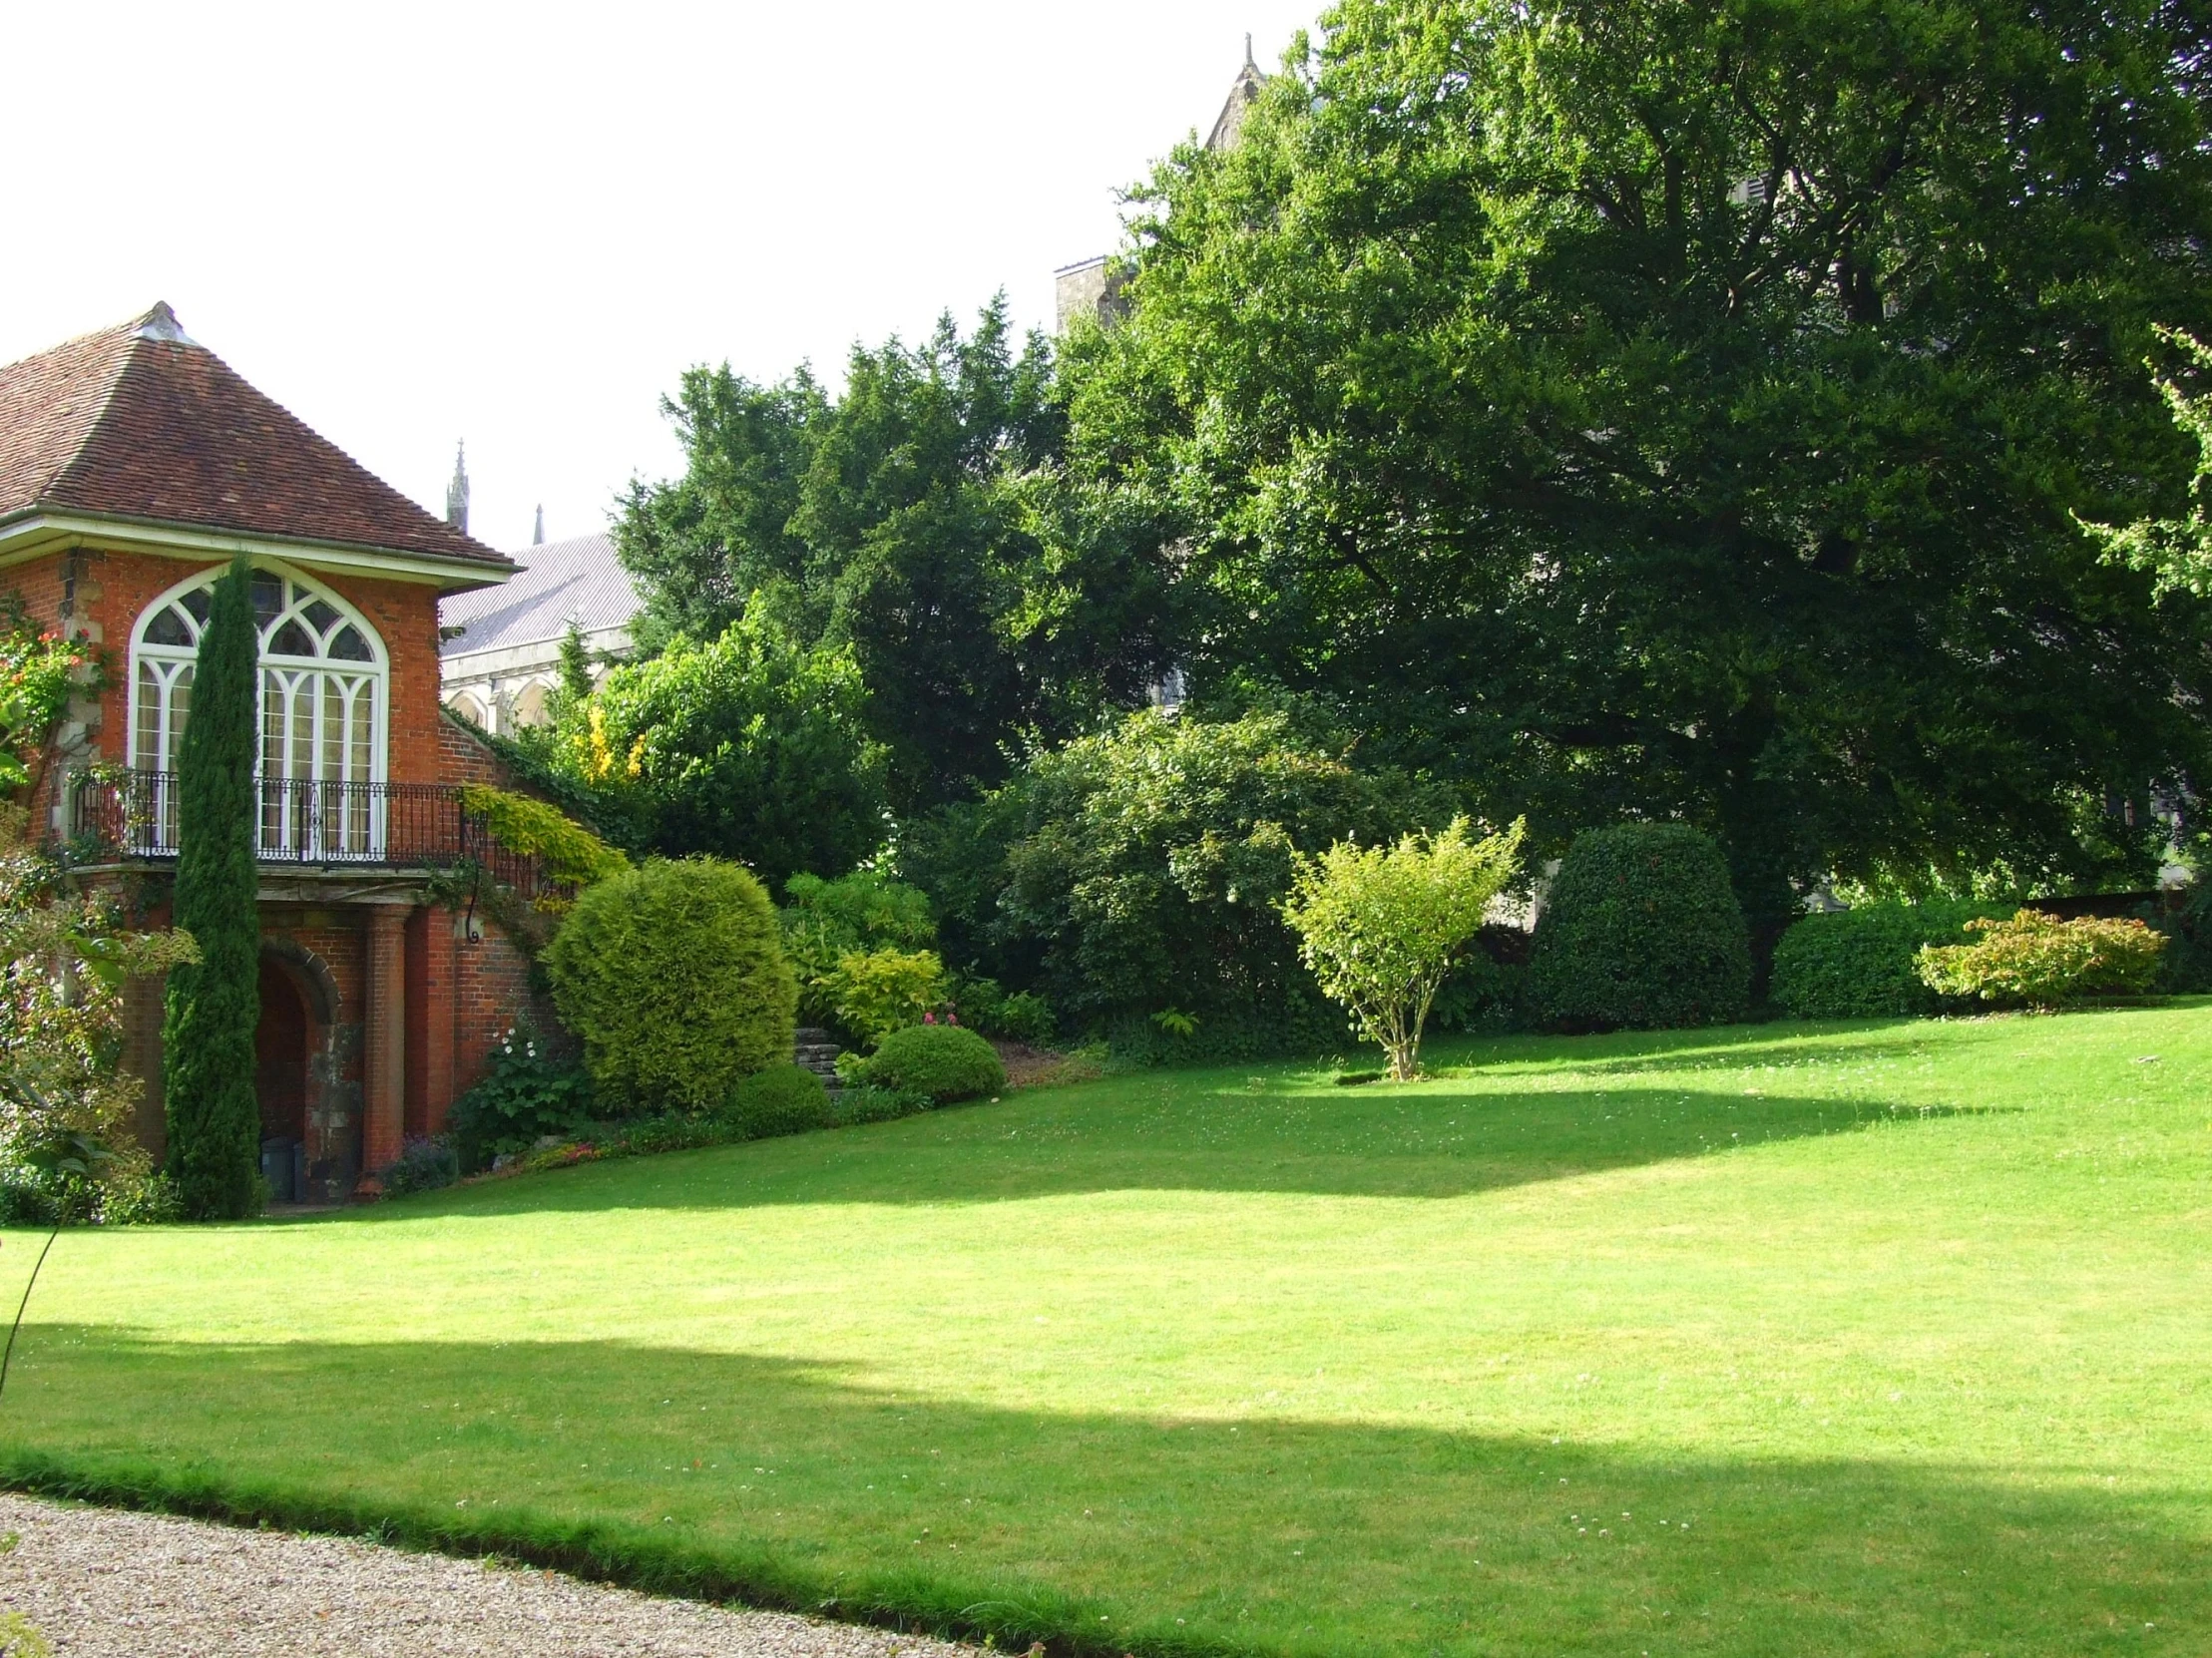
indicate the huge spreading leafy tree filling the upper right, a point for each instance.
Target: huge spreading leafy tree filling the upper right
{"x":1680,"y":410}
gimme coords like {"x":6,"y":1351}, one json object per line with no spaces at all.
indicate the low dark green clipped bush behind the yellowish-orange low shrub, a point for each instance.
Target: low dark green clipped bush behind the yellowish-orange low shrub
{"x":1859,"y":963}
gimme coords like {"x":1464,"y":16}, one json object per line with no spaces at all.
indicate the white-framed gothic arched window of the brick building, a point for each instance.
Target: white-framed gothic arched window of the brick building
{"x":322,"y":695}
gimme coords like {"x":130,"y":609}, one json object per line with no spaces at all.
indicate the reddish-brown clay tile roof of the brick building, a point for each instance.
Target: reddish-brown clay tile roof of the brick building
{"x":143,"y":423}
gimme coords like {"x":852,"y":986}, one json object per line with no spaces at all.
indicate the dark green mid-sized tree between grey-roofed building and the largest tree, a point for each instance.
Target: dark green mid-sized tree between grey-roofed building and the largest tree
{"x":919,"y":518}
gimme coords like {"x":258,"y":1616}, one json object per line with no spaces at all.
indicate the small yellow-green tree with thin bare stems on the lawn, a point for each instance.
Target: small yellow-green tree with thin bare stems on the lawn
{"x":1384,"y":925}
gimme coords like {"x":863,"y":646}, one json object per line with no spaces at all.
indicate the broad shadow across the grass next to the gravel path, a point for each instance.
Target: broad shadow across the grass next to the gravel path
{"x":793,"y":1484}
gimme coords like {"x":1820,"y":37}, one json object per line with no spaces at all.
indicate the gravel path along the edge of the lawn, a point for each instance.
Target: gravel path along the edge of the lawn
{"x":101,"y":1584}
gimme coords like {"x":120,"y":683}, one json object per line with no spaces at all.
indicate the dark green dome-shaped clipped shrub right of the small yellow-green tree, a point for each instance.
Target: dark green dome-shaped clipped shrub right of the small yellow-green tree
{"x":1640,"y":932}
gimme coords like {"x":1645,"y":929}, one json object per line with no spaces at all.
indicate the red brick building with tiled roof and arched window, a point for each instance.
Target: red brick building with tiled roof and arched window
{"x":134,"y":465}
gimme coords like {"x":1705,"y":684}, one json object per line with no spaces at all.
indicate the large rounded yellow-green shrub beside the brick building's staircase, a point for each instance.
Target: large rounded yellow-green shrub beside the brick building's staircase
{"x":674,"y":978}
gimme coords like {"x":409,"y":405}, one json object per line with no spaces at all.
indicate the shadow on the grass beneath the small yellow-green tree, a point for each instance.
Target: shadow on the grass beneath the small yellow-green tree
{"x":1437,"y":1142}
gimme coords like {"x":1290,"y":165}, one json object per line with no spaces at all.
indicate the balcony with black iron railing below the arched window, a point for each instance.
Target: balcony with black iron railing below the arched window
{"x":311,"y":823}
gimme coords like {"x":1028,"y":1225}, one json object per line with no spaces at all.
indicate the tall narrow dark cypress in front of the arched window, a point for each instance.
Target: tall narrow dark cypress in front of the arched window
{"x":216,"y":1003}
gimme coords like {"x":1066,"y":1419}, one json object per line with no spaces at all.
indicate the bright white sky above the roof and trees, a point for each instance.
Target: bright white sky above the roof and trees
{"x":519,"y":224}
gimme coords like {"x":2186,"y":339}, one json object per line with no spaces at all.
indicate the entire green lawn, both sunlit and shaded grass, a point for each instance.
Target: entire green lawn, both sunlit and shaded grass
{"x":1884,"y":1339}
